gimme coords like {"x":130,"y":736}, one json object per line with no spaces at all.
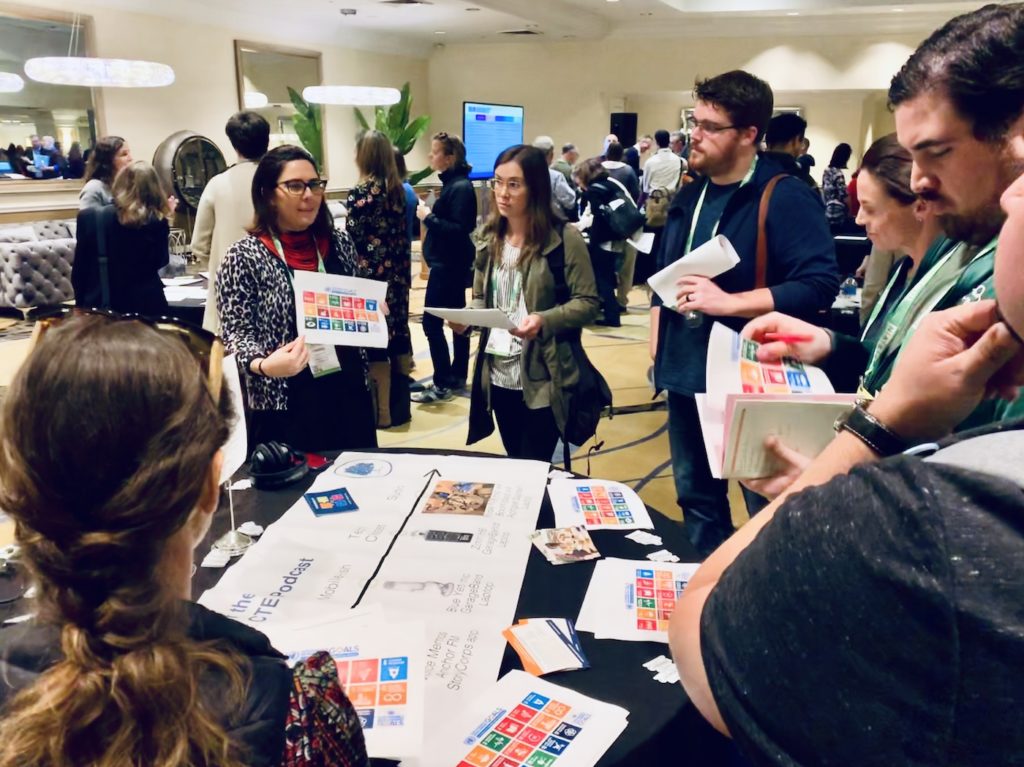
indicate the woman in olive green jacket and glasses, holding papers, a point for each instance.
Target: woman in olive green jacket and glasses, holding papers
{"x":540,"y":275}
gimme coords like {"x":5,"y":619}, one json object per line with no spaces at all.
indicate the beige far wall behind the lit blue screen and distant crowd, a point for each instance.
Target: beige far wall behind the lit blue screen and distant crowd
{"x":570,"y":90}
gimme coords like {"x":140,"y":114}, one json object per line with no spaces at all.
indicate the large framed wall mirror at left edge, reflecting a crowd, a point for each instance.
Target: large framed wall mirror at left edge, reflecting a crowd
{"x":62,"y":113}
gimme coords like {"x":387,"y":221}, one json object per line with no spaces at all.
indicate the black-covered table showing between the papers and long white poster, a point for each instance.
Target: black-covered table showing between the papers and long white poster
{"x":664,"y":728}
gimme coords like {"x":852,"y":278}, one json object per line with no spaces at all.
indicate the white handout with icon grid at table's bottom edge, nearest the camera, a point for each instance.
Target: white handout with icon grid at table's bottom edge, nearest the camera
{"x":523,"y":720}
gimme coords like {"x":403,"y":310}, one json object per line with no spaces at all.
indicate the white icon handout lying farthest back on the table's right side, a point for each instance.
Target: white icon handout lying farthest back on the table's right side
{"x":598,"y":504}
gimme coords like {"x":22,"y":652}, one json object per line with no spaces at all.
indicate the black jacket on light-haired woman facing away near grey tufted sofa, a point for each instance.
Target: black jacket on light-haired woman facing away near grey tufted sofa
{"x":135,"y":257}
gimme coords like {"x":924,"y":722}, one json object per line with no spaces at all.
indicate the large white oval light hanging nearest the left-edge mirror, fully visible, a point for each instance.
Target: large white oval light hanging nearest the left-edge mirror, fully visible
{"x":99,"y":73}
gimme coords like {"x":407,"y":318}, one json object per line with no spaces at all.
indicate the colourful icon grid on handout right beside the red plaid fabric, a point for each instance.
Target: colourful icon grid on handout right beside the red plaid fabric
{"x":377,"y":688}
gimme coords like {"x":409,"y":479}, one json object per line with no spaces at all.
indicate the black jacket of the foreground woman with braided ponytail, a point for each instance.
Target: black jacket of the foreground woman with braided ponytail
{"x":258,"y":726}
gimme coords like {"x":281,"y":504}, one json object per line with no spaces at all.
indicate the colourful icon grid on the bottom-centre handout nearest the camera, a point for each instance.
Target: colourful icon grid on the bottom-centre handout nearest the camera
{"x":534,"y":734}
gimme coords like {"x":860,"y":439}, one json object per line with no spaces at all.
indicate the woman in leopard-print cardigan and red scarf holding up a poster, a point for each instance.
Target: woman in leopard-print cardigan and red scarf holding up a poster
{"x":312,"y":398}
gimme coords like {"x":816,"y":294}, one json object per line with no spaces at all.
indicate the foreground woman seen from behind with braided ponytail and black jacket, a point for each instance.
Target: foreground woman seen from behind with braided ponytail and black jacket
{"x":110,"y":457}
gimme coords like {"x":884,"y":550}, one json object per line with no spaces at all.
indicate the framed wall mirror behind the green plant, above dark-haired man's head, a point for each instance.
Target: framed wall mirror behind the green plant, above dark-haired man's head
{"x":266,"y":73}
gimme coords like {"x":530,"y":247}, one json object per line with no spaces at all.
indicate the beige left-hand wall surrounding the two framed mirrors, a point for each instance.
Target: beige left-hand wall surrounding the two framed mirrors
{"x":204,"y":94}
